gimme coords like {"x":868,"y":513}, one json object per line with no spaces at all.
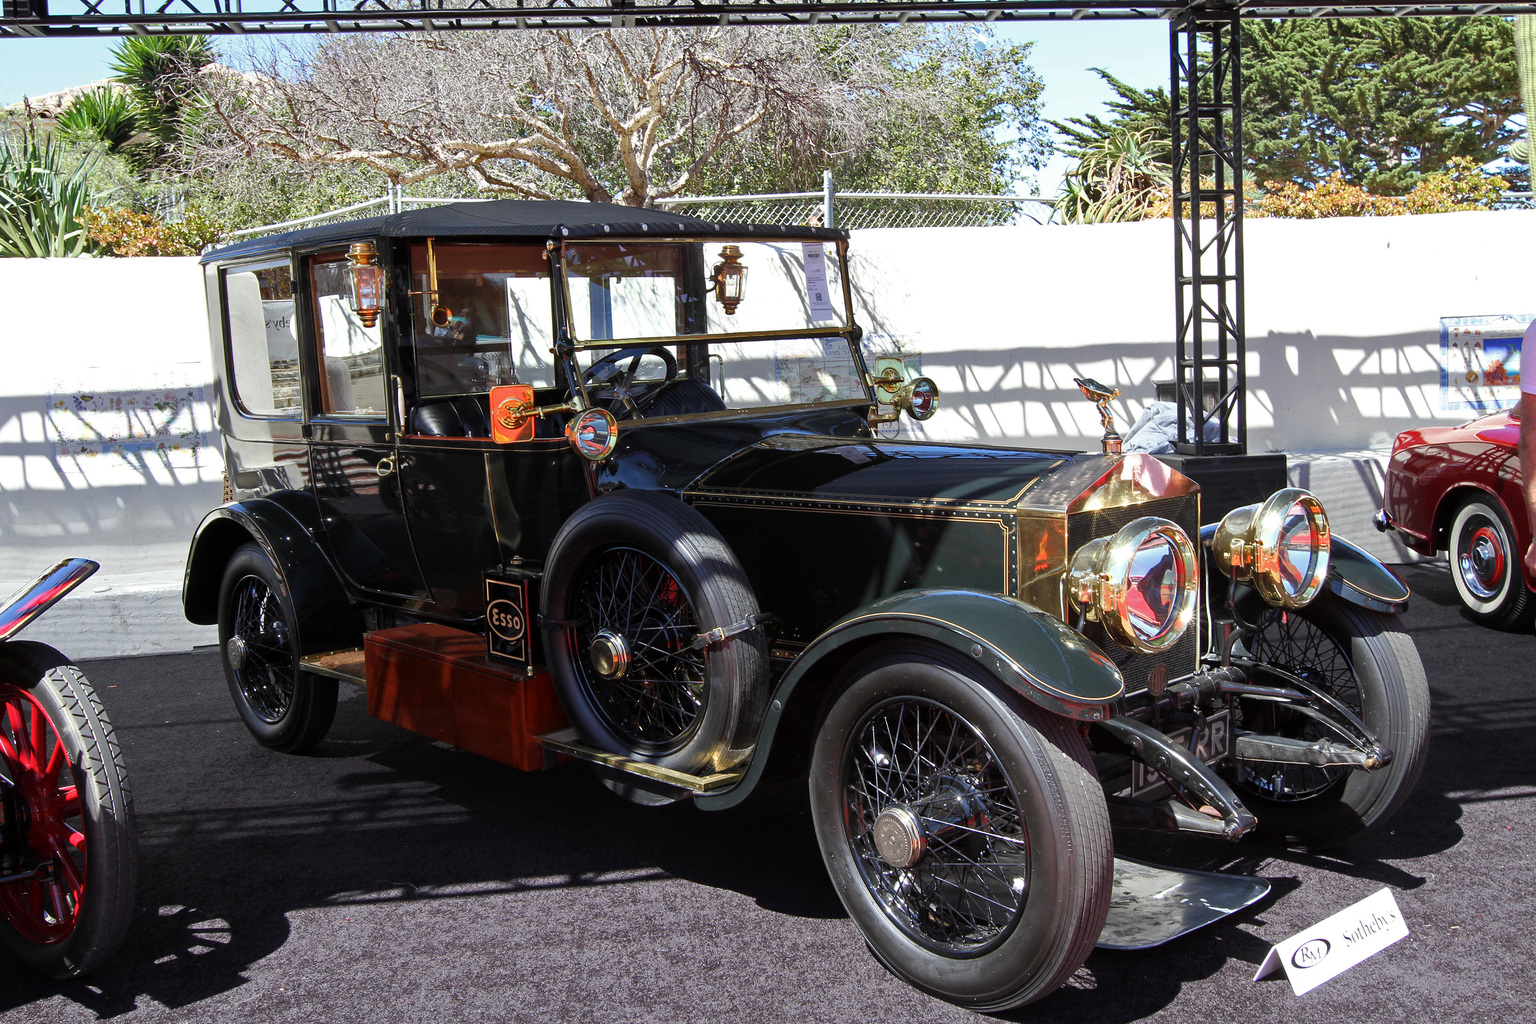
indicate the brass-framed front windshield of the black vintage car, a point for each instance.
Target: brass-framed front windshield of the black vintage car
{"x":737,"y":325}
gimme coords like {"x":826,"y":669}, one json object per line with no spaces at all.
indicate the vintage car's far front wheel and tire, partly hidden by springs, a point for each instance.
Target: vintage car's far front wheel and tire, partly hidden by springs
{"x":1366,"y":662}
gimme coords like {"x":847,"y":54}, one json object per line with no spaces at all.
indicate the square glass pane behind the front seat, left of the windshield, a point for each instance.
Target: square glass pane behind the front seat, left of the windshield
{"x":494,"y":319}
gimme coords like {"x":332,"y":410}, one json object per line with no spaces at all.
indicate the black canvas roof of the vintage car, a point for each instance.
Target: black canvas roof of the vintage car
{"x":520,"y":219}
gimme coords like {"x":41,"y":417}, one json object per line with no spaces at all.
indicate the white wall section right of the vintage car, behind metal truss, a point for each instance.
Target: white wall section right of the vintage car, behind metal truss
{"x":1343,"y":320}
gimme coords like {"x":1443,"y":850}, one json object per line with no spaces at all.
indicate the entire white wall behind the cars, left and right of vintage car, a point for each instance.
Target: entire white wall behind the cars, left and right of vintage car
{"x":107,"y":446}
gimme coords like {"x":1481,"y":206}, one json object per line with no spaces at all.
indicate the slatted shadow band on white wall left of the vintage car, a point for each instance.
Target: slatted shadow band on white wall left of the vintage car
{"x":121,"y":467}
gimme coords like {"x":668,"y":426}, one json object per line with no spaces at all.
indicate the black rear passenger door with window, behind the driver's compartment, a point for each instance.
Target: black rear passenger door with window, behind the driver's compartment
{"x":354,"y":457}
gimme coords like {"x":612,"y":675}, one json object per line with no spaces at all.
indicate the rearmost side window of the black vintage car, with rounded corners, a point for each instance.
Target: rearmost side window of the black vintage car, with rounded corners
{"x":263,"y":352}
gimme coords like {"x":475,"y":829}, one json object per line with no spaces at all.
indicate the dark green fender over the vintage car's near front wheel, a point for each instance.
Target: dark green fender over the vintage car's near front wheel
{"x":1031,"y":652}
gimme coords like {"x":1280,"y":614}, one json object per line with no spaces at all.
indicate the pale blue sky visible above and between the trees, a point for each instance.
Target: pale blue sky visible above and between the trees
{"x":1134,"y":51}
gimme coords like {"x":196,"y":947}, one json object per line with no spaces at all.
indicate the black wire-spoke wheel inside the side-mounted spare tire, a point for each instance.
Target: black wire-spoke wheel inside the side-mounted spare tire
{"x":634,"y":650}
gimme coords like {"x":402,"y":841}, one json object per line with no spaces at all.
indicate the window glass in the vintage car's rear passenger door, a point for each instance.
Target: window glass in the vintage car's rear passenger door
{"x":351,"y":355}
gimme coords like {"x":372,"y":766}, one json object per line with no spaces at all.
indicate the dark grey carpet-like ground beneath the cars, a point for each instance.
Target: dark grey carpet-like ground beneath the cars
{"x":392,"y":879}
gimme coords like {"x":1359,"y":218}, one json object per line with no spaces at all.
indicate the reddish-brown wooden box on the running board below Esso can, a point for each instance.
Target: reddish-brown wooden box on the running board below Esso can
{"x":439,"y":681}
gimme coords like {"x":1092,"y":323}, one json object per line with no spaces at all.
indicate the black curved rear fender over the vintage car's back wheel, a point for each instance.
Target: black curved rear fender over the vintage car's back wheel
{"x":326,"y":616}
